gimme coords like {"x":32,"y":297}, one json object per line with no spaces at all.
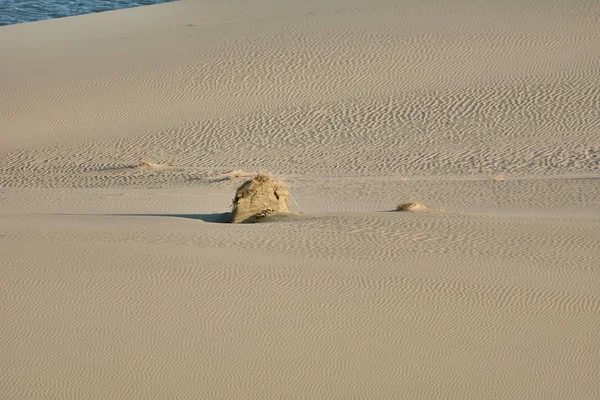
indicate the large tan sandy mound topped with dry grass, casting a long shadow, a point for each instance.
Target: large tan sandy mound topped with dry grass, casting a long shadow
{"x":259,"y":197}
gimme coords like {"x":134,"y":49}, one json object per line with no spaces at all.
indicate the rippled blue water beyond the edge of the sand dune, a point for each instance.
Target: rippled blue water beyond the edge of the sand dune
{"x":17,"y":11}
